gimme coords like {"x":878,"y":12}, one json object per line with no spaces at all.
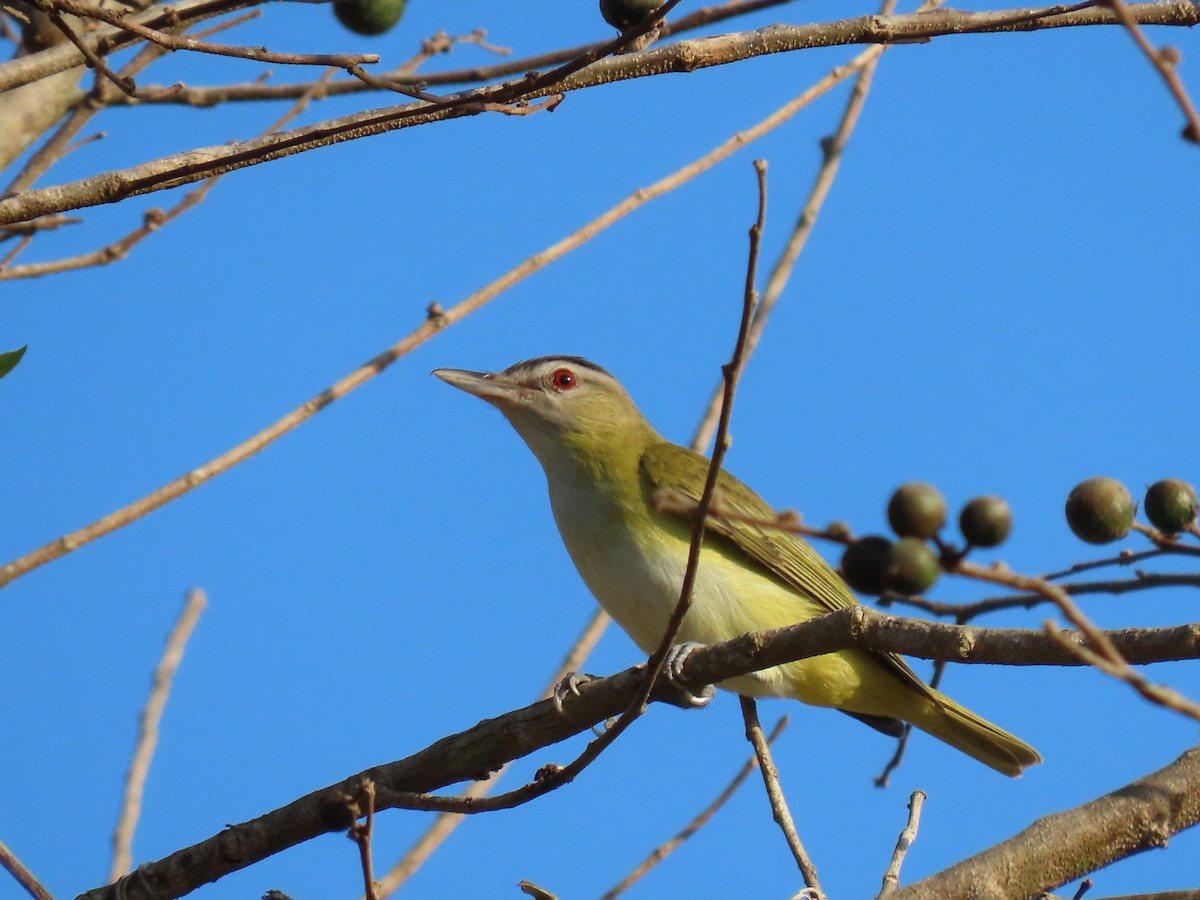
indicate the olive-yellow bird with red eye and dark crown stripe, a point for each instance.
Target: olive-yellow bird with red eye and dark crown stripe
{"x":605,"y":466}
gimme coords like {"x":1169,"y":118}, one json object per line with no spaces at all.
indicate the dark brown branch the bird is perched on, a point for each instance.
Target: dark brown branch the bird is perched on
{"x":484,"y":748}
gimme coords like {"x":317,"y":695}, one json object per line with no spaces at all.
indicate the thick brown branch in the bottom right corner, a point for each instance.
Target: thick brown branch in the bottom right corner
{"x":1061,"y":848}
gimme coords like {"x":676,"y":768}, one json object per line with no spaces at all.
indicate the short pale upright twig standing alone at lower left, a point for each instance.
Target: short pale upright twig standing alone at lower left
{"x":148,"y":733}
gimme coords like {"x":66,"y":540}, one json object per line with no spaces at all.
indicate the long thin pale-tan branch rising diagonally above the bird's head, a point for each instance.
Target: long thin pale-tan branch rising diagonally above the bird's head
{"x":437,"y":321}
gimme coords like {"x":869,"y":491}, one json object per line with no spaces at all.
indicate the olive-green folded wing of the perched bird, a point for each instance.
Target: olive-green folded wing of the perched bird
{"x":784,"y":555}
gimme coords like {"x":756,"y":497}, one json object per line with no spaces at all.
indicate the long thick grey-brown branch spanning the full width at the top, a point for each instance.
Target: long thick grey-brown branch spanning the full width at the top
{"x":683,"y":57}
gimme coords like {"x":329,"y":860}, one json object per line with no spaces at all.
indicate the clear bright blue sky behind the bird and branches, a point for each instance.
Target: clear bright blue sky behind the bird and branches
{"x":999,"y":298}
